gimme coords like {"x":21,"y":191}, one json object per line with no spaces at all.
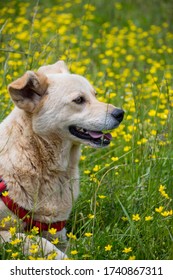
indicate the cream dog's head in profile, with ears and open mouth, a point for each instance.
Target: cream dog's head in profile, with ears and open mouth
{"x":65,"y":104}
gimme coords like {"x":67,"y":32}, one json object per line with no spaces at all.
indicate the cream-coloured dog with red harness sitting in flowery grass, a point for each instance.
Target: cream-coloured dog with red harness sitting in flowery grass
{"x":55,"y":112}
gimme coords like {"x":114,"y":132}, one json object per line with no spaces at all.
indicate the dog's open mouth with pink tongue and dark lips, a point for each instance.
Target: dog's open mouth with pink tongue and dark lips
{"x":96,"y":137}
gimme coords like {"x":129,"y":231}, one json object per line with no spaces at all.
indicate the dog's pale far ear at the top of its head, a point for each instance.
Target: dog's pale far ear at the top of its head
{"x":58,"y":67}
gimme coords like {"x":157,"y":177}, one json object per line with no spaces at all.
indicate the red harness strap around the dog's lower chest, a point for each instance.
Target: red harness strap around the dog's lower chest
{"x":24,"y":214}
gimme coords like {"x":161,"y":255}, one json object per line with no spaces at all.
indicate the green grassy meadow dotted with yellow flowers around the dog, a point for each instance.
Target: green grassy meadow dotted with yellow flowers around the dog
{"x":125,"y":49}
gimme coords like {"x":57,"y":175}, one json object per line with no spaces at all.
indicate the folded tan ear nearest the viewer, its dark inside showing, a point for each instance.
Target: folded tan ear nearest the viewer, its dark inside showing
{"x":27,"y":91}
